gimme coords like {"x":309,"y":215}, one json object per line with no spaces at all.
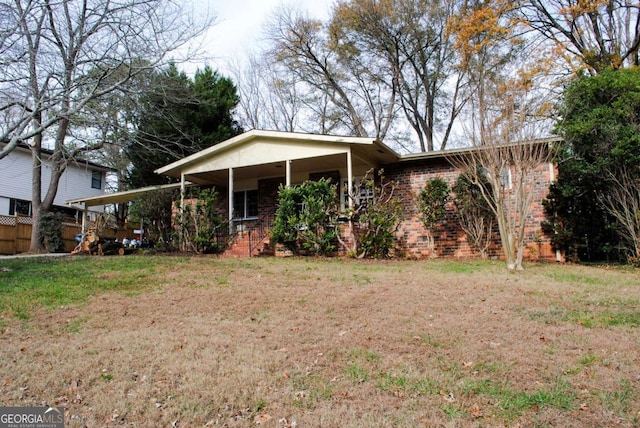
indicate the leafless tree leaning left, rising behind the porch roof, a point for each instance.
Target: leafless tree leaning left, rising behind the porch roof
{"x":359,"y":102}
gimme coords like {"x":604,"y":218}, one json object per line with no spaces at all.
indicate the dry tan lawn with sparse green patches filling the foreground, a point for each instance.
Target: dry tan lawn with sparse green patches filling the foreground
{"x":299,"y":342}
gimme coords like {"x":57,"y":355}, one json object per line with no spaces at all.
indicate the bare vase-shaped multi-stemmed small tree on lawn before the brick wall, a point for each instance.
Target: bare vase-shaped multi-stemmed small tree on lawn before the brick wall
{"x":507,"y":154}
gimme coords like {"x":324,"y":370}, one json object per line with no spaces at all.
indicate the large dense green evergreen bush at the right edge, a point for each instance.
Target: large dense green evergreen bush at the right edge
{"x":592,"y":208}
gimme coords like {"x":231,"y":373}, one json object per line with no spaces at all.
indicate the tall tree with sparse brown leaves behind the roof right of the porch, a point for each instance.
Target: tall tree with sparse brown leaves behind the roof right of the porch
{"x":412,"y":40}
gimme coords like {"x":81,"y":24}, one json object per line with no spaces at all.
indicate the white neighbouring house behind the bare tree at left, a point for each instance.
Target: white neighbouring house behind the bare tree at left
{"x":81,"y":178}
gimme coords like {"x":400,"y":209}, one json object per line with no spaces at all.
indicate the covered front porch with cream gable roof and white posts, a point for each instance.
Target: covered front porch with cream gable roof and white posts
{"x":248,"y":170}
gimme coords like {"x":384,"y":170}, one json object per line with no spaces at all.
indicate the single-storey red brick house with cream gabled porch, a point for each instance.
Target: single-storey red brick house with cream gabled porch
{"x":247,"y":171}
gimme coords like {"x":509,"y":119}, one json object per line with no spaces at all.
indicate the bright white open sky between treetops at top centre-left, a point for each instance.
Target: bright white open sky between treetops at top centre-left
{"x":240,"y":26}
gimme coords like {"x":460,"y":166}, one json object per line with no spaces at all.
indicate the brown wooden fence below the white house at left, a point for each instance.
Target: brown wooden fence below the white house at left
{"x":15,"y":234}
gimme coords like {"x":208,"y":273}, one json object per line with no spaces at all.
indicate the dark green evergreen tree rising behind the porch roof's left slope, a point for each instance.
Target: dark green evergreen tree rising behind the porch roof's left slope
{"x":180,"y":116}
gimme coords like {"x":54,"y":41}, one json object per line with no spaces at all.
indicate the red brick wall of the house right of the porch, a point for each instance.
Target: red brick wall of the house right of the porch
{"x":450,"y":240}
